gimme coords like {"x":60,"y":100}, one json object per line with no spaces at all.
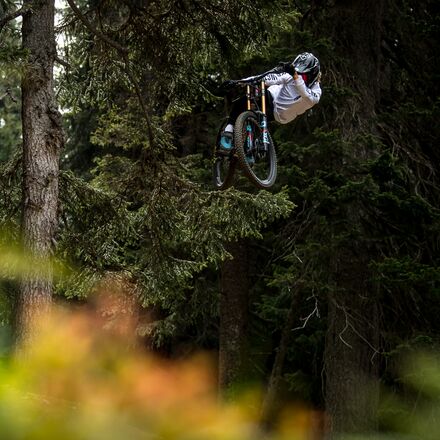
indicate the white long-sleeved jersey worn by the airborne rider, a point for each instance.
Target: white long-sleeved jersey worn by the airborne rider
{"x":291,"y":97}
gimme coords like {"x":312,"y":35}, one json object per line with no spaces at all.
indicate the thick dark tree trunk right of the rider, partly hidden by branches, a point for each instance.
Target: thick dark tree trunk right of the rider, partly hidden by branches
{"x":351,"y":367}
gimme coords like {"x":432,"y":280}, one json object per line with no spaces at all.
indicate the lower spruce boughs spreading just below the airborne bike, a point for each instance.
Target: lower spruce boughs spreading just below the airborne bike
{"x":161,"y":236}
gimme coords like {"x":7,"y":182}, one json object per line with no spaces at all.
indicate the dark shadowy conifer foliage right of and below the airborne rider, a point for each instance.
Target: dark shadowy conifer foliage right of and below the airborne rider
{"x":370,"y":192}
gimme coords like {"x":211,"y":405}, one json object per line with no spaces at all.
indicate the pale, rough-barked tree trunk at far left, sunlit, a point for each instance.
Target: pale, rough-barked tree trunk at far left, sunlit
{"x":42,"y":140}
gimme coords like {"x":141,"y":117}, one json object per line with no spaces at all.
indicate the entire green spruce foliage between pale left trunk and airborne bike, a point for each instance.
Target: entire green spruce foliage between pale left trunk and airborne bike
{"x":144,"y":213}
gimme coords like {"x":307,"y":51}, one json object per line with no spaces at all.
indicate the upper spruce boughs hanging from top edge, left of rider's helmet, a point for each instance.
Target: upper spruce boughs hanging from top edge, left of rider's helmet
{"x":161,"y":38}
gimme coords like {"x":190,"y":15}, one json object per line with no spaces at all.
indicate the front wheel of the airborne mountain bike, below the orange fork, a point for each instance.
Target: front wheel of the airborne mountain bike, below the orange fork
{"x":257,"y":159}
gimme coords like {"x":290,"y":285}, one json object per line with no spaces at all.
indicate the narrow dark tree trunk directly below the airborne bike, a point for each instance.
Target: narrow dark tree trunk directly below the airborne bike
{"x":233,"y":317}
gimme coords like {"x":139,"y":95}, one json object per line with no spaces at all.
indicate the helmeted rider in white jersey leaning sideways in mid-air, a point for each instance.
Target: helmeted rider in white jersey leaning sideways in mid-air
{"x":292,"y":92}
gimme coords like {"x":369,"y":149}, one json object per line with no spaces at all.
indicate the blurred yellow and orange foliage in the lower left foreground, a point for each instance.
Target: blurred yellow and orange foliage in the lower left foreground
{"x":80,"y":379}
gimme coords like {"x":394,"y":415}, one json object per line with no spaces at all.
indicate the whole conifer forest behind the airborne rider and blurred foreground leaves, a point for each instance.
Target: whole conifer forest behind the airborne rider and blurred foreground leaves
{"x":317,"y":291}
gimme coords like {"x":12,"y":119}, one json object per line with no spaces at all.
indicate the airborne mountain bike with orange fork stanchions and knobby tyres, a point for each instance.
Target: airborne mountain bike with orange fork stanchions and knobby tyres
{"x":253,"y":150}
